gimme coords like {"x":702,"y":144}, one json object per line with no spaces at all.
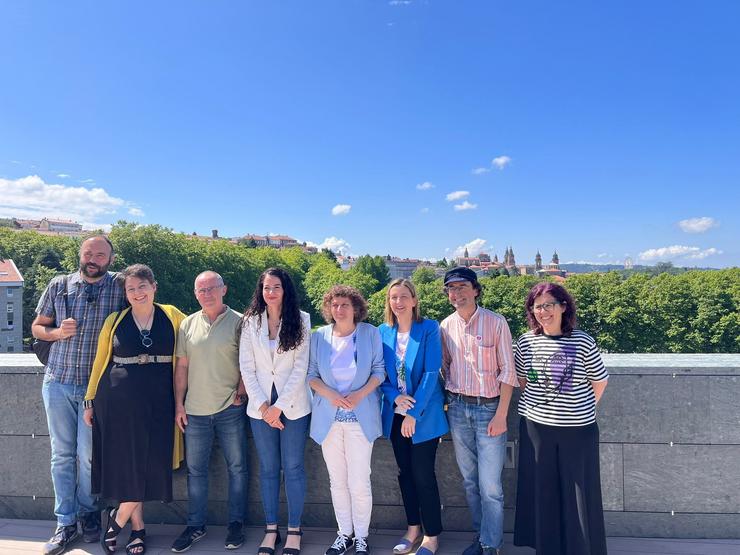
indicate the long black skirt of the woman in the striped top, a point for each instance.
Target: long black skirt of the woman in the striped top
{"x":558,"y":506}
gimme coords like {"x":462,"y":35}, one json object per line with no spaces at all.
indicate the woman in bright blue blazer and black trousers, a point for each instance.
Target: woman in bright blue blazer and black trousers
{"x":413,"y":412}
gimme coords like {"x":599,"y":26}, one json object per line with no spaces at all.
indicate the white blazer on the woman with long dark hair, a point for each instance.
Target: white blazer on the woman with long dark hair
{"x":287,"y":371}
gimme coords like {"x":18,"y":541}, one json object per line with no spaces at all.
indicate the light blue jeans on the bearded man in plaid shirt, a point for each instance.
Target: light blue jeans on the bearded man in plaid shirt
{"x":71,"y":442}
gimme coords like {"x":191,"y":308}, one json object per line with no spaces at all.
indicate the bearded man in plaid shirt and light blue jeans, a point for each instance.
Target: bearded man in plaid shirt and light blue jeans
{"x":71,"y":312}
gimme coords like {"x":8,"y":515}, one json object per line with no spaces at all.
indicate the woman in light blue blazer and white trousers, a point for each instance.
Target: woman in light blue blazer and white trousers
{"x":345,"y":368}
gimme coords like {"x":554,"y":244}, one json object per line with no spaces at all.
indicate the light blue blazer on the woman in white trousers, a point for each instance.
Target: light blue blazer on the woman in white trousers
{"x":369,"y":364}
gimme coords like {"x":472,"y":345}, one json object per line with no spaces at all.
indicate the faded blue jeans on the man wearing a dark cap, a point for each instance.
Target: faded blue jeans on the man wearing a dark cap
{"x":480,"y":458}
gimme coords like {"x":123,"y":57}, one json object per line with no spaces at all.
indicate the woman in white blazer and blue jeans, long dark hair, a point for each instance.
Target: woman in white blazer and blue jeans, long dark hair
{"x":273,"y":356}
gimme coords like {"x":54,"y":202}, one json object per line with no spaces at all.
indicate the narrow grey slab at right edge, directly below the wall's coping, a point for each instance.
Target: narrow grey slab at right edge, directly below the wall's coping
{"x":724,"y":410}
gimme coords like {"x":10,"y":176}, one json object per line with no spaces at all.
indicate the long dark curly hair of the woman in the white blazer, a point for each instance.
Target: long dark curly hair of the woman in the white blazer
{"x":291,"y":327}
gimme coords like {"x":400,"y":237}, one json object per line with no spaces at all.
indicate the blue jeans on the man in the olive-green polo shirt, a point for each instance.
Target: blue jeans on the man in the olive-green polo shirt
{"x":230,"y":427}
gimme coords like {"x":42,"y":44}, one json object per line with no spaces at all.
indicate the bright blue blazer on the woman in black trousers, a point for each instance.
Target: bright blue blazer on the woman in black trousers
{"x":424,"y":358}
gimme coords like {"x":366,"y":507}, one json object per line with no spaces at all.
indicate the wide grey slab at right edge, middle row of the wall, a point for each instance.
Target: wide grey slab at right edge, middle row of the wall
{"x":682,"y":478}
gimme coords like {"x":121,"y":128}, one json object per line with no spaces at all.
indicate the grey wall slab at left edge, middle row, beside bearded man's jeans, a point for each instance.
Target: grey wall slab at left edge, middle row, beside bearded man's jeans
{"x":25,"y":466}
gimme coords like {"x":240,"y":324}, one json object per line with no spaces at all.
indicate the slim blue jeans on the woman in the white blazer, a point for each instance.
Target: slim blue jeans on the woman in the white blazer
{"x":276,"y":449}
